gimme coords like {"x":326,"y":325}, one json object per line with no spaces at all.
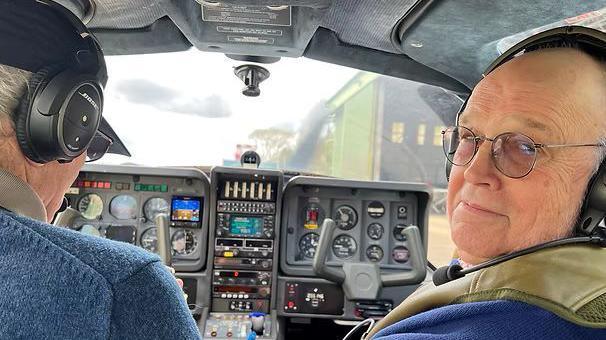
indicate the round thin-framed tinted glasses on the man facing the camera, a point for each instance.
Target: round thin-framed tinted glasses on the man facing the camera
{"x":514,"y":154}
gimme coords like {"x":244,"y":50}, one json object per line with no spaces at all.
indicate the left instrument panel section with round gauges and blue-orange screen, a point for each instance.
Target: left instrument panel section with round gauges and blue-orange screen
{"x":121,"y":204}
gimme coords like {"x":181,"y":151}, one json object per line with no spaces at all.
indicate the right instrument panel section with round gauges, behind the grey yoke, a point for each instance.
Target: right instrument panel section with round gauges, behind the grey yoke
{"x":370,"y":218}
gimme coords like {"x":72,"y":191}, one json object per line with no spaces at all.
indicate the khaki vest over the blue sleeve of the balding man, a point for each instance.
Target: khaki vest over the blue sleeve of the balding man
{"x":569,"y":281}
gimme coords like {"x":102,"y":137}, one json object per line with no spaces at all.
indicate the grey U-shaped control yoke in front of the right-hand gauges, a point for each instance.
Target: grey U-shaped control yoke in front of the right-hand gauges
{"x":364,"y":281}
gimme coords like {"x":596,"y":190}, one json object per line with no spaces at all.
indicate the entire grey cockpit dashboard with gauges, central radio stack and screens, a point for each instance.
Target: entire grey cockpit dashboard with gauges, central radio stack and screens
{"x":244,"y":240}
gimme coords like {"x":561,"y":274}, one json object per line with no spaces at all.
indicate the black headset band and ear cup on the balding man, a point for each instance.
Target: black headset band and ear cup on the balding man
{"x":592,"y":42}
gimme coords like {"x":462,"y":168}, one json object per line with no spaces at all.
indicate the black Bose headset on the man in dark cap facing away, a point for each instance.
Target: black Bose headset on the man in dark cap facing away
{"x":59,"y":116}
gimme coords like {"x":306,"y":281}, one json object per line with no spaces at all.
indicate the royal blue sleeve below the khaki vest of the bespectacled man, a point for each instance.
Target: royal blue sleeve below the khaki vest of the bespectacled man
{"x":487,"y":320}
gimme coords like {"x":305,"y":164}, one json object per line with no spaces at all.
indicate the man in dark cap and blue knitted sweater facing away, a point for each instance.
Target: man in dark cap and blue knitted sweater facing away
{"x":58,"y":283}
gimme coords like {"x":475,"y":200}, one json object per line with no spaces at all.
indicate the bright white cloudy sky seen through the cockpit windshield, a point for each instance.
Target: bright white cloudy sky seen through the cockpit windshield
{"x":186,"y":108}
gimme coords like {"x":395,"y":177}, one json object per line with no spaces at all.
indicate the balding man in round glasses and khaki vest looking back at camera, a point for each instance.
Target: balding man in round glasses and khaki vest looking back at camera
{"x":524,"y":152}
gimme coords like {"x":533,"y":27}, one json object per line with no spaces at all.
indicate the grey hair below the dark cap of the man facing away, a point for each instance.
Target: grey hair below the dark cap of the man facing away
{"x":13,"y":86}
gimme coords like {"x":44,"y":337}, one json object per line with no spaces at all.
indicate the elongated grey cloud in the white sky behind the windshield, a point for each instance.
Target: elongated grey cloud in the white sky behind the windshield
{"x":142,"y":91}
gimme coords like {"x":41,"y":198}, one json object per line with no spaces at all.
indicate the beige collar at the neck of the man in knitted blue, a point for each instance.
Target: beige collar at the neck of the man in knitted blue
{"x":19,"y":197}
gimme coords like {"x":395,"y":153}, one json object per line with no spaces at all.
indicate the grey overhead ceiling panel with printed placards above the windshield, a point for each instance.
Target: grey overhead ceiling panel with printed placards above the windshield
{"x":244,"y":29}
